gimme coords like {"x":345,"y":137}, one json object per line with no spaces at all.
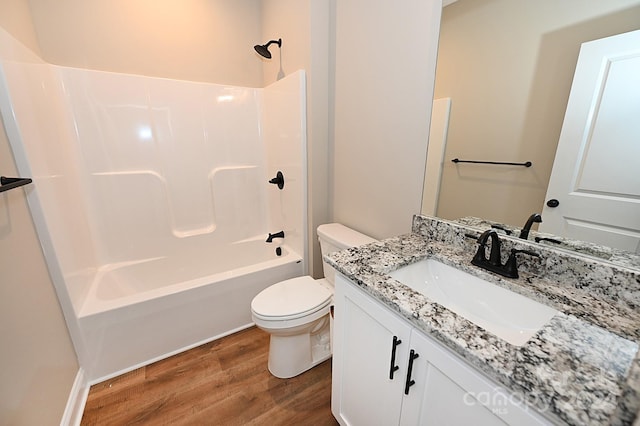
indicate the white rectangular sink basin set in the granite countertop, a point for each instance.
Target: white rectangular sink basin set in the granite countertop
{"x":506,"y":314}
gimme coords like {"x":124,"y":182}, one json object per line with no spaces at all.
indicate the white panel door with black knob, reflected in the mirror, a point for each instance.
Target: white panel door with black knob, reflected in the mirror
{"x":596,"y":173}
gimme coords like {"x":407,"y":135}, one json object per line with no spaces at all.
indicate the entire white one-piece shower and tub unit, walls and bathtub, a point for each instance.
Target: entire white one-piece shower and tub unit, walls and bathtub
{"x":152,"y":201}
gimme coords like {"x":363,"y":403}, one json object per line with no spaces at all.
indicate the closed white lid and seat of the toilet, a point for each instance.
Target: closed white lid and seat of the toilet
{"x":291,"y":298}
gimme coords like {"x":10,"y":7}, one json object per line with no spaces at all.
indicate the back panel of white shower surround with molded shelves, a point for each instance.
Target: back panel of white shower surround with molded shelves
{"x":166,"y":160}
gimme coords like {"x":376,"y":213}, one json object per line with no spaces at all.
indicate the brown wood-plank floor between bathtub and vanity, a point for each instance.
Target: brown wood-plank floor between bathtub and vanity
{"x":225,"y":382}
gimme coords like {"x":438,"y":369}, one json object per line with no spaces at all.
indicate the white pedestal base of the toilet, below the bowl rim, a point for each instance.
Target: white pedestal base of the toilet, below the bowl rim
{"x":292,"y":354}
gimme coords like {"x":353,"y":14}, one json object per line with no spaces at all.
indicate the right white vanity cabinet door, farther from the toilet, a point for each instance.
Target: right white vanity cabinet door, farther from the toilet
{"x":447,"y":391}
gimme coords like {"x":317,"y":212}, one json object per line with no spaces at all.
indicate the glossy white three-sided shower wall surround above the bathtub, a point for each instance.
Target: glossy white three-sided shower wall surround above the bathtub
{"x":128,"y":168}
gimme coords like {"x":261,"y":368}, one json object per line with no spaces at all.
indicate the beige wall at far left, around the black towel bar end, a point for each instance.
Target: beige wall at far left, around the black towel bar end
{"x":37,"y":359}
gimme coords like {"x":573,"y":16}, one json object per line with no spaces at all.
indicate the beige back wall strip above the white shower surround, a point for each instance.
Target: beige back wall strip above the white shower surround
{"x":199,"y":40}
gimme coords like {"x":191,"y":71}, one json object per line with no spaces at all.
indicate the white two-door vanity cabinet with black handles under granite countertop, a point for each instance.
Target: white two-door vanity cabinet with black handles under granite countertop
{"x":386,"y":372}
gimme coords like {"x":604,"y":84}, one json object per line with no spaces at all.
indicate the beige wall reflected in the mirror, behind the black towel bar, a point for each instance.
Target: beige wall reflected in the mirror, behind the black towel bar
{"x":507,"y":66}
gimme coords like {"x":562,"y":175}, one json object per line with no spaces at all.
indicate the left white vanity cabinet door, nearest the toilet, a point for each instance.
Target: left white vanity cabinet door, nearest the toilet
{"x":364,"y":392}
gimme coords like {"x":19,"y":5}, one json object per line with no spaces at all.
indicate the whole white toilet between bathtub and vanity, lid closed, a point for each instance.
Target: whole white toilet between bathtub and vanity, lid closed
{"x":295,"y":312}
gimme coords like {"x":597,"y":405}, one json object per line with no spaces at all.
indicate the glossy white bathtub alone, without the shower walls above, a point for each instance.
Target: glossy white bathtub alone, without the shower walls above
{"x":141,"y":311}
